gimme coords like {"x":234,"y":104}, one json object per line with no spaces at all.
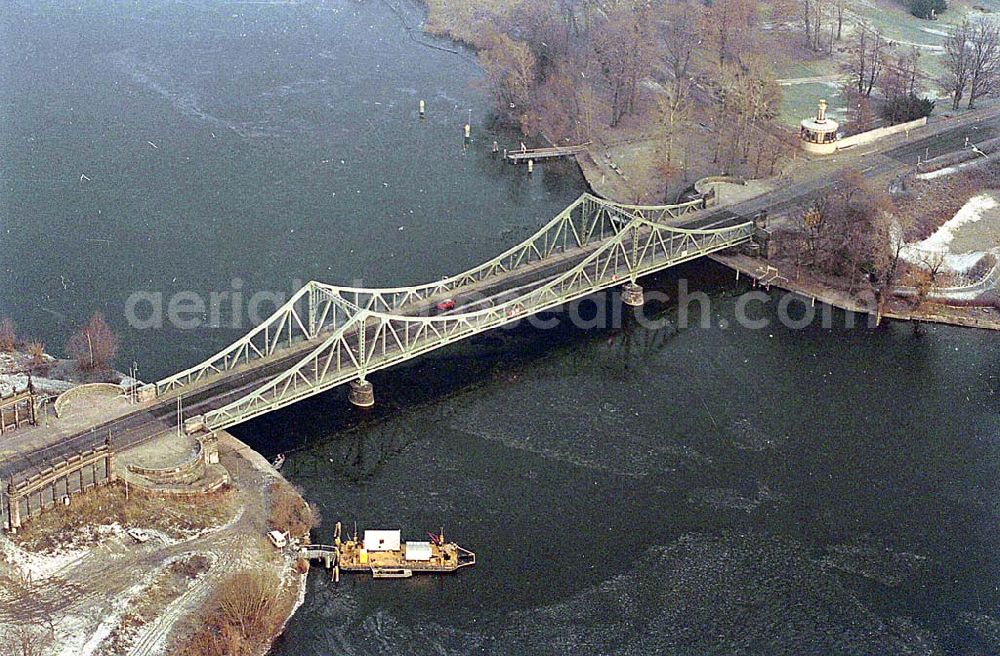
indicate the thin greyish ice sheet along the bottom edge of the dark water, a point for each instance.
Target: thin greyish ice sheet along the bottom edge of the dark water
{"x":731,"y":594}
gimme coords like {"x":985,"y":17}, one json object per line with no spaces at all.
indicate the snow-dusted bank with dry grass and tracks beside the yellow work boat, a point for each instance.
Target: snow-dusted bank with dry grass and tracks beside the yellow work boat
{"x":75,"y":580}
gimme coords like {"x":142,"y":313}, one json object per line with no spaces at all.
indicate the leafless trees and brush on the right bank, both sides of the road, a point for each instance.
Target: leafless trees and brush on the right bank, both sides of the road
{"x":668,"y":93}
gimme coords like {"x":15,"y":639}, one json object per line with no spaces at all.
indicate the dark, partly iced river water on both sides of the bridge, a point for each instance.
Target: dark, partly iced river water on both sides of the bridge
{"x":627,"y":489}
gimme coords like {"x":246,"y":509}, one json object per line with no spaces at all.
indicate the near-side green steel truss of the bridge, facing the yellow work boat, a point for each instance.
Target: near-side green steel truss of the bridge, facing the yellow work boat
{"x":377,"y":340}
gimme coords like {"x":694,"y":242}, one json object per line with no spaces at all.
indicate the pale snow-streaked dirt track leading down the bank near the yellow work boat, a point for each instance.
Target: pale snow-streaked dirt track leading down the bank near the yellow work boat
{"x":91,"y":598}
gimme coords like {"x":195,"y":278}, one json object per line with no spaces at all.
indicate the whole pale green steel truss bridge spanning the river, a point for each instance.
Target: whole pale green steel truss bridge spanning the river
{"x":326,"y":335}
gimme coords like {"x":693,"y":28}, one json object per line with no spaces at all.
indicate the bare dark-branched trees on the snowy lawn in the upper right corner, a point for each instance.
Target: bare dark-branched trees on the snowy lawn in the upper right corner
{"x":972,"y":61}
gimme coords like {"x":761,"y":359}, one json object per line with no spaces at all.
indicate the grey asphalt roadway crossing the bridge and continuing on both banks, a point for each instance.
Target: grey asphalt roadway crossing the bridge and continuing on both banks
{"x":159,"y":416}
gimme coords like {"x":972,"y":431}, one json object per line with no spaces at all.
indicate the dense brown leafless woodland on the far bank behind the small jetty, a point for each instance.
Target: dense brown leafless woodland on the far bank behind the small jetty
{"x":572,"y":66}
